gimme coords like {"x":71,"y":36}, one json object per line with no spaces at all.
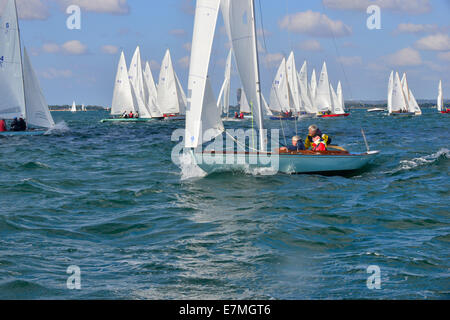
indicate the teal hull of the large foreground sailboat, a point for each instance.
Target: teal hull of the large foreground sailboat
{"x":305,"y":162}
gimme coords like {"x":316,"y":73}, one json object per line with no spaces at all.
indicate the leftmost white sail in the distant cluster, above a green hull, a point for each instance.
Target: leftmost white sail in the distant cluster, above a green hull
{"x":122,"y":96}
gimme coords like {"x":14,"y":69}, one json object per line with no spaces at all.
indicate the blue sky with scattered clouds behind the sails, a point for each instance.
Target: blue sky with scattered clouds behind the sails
{"x":81,"y":64}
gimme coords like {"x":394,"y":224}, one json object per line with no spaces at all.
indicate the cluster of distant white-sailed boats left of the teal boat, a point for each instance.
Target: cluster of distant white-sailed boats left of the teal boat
{"x":135,"y":92}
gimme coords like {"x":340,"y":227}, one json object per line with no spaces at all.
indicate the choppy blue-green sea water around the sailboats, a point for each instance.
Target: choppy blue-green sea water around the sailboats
{"x":107,"y":198}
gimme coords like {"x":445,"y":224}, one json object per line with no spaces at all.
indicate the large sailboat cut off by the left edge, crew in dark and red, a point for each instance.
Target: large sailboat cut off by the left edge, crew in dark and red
{"x":20,"y":92}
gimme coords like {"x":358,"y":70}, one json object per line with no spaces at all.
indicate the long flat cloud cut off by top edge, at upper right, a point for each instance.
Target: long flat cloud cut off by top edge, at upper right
{"x":406,"y":6}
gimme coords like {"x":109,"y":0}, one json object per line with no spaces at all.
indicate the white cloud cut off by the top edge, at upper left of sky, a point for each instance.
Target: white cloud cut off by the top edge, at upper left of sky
{"x":99,"y":6}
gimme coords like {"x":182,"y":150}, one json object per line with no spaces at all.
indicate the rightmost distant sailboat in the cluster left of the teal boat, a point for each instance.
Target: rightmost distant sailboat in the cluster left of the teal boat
{"x":171,"y":97}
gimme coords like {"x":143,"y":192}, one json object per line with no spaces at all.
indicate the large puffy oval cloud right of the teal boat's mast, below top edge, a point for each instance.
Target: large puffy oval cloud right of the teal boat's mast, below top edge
{"x":314,"y":24}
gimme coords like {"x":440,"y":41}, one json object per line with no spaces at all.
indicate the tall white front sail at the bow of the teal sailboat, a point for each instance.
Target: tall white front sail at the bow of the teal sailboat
{"x":202,"y":114}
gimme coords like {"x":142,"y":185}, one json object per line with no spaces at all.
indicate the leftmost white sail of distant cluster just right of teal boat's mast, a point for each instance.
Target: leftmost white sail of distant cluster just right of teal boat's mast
{"x":279,"y":95}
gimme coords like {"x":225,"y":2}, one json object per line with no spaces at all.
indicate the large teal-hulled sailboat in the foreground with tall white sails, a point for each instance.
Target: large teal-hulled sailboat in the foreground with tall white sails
{"x":203,"y":121}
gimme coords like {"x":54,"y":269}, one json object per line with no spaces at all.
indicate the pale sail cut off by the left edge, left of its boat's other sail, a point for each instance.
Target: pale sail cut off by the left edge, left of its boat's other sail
{"x":12,"y":96}
